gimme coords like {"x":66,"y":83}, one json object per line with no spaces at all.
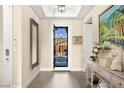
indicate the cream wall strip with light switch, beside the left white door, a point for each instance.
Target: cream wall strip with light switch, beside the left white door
{"x":17,"y":47}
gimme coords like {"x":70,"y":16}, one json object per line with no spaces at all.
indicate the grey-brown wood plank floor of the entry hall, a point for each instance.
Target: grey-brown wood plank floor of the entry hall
{"x":75,"y":79}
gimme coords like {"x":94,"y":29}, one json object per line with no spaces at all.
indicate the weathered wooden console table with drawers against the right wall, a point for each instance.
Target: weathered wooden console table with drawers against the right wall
{"x":115,"y":79}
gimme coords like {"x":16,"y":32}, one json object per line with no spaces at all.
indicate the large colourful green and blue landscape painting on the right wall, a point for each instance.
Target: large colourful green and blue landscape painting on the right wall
{"x":111,"y":25}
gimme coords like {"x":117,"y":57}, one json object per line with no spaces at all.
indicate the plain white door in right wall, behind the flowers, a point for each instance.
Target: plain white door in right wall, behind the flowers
{"x":88,"y":42}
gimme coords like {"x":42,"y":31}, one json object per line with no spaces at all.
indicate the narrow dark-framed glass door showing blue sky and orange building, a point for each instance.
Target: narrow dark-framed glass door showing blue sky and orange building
{"x":60,"y":46}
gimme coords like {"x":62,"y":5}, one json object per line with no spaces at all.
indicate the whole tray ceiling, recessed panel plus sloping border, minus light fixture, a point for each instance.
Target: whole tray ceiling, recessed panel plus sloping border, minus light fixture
{"x":71,"y":11}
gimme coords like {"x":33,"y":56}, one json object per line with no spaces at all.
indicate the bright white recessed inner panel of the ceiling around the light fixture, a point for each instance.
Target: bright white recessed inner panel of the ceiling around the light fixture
{"x":52,"y":11}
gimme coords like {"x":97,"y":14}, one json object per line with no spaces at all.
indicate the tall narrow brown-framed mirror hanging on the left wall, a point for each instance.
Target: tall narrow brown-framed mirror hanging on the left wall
{"x":34,"y":42}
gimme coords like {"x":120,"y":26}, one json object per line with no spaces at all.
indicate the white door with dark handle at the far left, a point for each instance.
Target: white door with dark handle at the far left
{"x":7,"y":39}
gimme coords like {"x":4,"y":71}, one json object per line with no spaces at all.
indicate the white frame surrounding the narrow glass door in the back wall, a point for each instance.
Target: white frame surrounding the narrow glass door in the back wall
{"x":60,"y":68}
